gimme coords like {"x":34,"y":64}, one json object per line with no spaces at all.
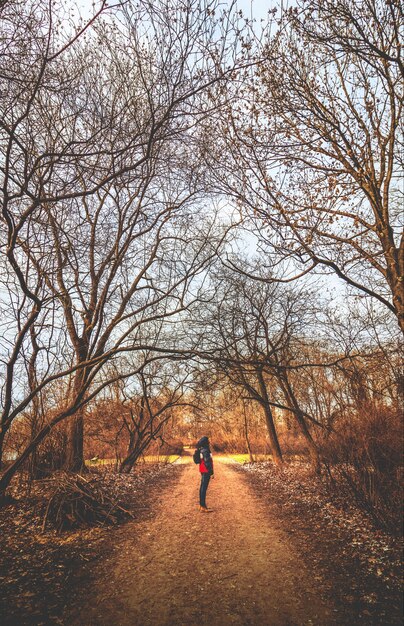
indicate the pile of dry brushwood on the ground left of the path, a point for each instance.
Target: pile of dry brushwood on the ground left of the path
{"x":77,"y":502}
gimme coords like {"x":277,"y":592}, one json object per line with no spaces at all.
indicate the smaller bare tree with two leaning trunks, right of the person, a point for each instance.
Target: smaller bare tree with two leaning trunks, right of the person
{"x":257,"y":329}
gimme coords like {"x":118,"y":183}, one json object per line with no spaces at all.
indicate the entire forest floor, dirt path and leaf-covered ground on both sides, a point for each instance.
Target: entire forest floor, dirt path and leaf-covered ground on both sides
{"x":272,"y":551}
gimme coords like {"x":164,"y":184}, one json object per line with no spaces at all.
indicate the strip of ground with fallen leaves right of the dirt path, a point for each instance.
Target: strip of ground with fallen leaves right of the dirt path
{"x":360,"y":564}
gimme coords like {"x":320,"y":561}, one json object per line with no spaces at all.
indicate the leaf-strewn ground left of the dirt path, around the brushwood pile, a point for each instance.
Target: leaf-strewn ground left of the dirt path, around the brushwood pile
{"x":41,"y":569}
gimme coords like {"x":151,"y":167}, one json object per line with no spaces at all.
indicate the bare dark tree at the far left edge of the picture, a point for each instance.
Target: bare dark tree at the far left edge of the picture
{"x":33,"y":74}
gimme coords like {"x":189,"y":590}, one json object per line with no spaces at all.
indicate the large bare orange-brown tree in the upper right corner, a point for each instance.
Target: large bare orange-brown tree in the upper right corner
{"x":315,"y":146}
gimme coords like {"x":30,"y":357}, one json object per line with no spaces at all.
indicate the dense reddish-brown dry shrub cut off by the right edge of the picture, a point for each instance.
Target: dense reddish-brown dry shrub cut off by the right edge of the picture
{"x":364,"y":457}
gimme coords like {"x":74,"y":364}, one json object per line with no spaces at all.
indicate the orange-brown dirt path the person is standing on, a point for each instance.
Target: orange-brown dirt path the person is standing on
{"x":185,"y":568}
